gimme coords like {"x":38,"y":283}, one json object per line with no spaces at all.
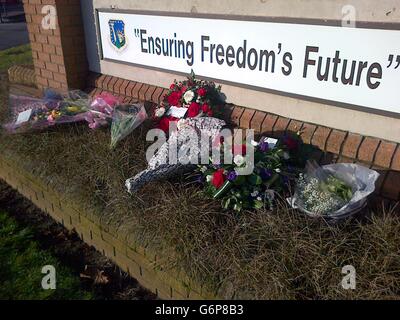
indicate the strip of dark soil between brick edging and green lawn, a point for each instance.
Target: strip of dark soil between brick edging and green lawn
{"x":97,"y":273}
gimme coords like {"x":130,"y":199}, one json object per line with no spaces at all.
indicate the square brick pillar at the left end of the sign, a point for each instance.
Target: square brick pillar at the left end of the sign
{"x":59,"y":54}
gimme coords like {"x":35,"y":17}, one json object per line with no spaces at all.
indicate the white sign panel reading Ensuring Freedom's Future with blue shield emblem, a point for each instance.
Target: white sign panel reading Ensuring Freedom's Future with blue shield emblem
{"x":352,"y":66}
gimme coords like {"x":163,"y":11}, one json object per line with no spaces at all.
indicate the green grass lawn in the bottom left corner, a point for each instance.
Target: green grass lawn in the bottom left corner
{"x":21,"y":262}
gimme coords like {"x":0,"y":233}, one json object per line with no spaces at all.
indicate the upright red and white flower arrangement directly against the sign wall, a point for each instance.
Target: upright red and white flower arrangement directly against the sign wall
{"x":188,"y":99}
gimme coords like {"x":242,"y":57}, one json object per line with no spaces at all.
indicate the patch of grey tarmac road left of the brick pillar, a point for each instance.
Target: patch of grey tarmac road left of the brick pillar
{"x":13,"y":34}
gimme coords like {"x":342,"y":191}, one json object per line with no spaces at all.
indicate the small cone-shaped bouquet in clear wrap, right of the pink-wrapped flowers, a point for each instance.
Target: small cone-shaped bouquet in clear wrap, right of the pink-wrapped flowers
{"x":126,"y":118}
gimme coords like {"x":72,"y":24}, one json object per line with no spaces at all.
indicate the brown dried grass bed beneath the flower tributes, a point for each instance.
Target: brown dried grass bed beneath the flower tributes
{"x":257,"y":255}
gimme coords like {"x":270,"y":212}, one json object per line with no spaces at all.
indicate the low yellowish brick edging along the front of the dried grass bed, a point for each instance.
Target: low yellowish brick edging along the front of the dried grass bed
{"x":137,"y":261}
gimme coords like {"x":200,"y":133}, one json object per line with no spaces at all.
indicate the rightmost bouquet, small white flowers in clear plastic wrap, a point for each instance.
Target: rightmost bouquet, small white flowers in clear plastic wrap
{"x":333,"y":191}
